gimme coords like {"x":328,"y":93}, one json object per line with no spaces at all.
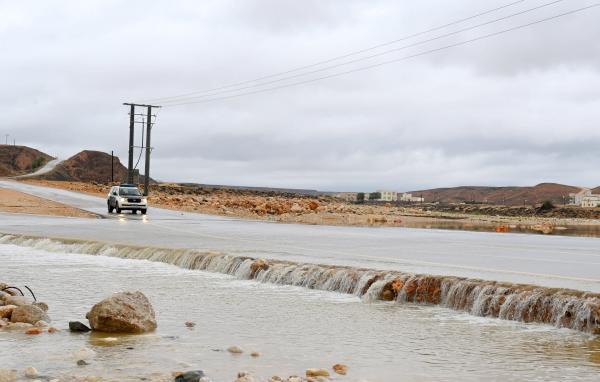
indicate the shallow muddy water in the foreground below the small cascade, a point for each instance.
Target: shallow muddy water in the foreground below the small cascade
{"x":293,"y":328}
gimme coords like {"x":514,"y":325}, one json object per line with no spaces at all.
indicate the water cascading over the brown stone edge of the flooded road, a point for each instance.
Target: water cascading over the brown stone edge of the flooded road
{"x":566,"y":308}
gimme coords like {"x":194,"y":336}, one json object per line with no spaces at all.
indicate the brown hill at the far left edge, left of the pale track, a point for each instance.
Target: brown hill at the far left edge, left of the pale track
{"x":19,"y":160}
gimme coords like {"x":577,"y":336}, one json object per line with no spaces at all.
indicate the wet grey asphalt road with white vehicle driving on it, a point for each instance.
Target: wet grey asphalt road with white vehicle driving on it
{"x":556,"y":261}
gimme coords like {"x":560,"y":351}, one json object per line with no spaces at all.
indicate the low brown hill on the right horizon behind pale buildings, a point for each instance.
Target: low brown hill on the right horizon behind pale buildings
{"x":557,"y":193}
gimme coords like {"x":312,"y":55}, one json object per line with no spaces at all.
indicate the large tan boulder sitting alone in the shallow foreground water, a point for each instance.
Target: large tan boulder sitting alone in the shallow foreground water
{"x":125,"y":312}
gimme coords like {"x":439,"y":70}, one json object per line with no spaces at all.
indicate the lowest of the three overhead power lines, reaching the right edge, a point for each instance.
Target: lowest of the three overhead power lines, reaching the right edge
{"x":465,"y":42}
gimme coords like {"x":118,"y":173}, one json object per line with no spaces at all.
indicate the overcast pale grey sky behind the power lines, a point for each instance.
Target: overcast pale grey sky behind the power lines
{"x":518,"y":108}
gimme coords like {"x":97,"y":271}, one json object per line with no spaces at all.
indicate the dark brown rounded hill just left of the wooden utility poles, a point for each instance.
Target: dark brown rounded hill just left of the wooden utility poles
{"x":89,"y":166}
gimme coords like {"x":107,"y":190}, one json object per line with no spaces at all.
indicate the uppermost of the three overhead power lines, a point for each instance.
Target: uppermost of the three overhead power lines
{"x":342,"y":56}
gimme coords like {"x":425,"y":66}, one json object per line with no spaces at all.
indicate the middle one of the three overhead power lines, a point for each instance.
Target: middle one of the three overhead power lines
{"x":373,"y":55}
